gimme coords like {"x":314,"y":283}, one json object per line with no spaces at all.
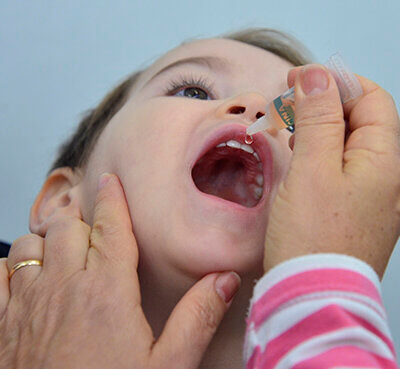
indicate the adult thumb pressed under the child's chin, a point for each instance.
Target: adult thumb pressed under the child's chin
{"x":194,"y":321}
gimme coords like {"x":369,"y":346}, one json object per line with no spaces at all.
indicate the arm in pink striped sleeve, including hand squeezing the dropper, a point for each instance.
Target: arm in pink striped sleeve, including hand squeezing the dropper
{"x":316,"y":307}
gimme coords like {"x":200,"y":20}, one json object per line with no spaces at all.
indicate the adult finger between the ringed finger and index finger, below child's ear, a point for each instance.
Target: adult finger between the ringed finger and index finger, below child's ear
{"x":66,"y":246}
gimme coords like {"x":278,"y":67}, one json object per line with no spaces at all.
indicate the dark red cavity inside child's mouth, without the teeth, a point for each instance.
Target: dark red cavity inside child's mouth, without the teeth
{"x":226,"y":178}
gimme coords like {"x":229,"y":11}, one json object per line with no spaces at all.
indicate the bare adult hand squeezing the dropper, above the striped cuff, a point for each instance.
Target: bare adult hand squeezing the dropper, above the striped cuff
{"x":342,"y":191}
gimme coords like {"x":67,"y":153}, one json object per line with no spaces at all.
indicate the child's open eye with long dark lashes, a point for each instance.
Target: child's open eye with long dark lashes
{"x":195,"y":88}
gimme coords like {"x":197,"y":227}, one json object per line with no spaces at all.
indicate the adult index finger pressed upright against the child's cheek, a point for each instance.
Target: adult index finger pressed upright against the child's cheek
{"x":112,"y":240}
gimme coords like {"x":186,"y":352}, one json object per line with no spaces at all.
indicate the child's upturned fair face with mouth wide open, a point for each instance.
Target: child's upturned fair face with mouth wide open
{"x":155,"y":140}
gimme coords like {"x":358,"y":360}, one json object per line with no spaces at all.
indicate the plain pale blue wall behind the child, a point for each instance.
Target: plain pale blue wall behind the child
{"x":58,"y":58}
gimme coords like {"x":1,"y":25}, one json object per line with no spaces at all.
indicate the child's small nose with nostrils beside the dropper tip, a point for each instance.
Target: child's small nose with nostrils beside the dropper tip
{"x":250,"y":106}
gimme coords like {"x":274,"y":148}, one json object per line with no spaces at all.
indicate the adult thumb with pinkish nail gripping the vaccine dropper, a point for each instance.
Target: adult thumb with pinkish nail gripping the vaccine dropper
{"x":320,"y":126}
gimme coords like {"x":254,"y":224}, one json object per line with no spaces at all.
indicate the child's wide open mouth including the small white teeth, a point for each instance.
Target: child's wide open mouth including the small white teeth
{"x":232,"y":171}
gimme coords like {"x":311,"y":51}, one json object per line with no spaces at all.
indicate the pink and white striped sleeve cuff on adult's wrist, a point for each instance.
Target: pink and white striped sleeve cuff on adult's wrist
{"x":318,"y":311}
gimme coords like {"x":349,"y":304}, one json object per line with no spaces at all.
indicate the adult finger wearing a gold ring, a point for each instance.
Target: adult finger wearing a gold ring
{"x":28,"y":247}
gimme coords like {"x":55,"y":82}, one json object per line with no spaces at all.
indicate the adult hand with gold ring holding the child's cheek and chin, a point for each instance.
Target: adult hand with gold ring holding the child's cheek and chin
{"x":82,"y":308}
